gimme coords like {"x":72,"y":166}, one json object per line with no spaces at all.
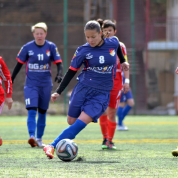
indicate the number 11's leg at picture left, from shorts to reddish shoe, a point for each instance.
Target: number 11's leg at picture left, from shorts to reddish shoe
{"x":31,"y":102}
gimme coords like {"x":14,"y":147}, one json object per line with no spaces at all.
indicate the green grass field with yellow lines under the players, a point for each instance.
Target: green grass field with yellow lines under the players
{"x":143,"y":151}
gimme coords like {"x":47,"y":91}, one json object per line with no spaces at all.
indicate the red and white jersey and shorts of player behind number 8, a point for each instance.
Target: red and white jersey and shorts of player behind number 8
{"x":118,"y":84}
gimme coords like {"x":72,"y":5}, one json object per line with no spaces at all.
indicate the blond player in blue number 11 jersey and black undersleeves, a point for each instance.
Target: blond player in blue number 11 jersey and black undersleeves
{"x":38,"y":55}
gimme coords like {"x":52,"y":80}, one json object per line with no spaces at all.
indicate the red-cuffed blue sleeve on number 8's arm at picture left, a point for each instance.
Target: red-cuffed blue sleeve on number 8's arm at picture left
{"x":77,"y":59}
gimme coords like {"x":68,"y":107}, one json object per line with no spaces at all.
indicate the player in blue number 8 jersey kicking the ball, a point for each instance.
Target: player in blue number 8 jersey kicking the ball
{"x":90,"y":97}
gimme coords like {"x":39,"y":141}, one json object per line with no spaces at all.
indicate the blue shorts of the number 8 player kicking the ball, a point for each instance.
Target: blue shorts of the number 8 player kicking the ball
{"x":88,"y":99}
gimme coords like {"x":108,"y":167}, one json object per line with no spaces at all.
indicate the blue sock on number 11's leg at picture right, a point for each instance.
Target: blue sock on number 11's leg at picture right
{"x":41,"y":123}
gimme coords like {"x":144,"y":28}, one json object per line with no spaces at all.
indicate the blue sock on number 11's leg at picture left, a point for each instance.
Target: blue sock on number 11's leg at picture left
{"x":31,"y":122}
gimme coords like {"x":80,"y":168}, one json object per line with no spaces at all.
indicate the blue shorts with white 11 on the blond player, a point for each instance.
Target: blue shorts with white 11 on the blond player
{"x":37,"y":96}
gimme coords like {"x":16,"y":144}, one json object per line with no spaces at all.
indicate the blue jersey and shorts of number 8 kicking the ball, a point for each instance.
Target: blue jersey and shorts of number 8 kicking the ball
{"x":92,"y":92}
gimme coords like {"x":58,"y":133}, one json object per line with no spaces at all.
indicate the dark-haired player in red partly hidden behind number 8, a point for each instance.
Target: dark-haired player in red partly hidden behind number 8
{"x":107,"y":120}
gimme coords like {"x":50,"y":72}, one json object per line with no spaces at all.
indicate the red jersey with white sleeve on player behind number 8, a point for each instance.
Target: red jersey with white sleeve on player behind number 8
{"x":118,"y":79}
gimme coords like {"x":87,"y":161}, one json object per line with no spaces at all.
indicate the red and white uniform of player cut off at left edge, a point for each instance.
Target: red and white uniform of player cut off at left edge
{"x":5,"y":76}
